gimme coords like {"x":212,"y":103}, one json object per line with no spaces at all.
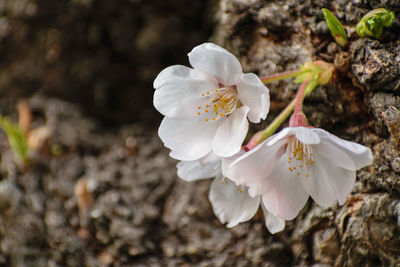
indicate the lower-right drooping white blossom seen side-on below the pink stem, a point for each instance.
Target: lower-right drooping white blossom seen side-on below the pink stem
{"x":299,"y":162}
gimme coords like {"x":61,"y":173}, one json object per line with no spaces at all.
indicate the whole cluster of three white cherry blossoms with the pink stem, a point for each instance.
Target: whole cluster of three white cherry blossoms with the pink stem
{"x":207,"y":111}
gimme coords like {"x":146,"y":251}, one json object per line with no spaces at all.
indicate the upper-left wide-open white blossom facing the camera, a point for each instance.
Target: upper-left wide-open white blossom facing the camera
{"x":207,"y":107}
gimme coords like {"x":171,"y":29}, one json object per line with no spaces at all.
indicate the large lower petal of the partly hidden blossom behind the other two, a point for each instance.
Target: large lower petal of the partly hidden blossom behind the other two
{"x":229,"y":204}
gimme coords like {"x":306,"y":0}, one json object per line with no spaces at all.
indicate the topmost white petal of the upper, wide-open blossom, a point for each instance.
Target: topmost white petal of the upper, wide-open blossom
{"x":217,"y":61}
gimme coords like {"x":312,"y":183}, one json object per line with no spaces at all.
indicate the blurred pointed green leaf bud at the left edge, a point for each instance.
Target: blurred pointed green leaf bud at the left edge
{"x":16,"y":138}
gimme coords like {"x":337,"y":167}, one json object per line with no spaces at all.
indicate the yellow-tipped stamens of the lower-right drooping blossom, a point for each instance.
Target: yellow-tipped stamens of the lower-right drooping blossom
{"x":300,"y":157}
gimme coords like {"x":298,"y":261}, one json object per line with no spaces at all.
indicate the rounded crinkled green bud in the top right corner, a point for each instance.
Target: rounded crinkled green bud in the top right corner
{"x":373,"y":22}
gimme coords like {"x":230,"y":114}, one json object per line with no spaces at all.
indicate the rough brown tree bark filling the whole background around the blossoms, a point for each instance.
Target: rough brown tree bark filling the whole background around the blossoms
{"x":95,"y":196}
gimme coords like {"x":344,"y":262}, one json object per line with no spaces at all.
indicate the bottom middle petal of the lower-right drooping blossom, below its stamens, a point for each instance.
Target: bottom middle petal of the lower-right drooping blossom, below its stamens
{"x":286,"y":196}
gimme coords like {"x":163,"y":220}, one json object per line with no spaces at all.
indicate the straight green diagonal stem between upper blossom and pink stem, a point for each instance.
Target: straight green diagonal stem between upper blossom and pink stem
{"x":276,"y":123}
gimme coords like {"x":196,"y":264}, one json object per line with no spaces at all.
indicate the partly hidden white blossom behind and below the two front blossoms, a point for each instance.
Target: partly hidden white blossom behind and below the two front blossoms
{"x":231,"y":204}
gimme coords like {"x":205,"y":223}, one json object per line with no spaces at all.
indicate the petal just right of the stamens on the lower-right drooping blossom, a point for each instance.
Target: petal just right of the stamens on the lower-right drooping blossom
{"x":328,"y":183}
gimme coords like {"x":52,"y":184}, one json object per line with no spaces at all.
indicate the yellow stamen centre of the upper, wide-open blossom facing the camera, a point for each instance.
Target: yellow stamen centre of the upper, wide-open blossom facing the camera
{"x":219,"y":103}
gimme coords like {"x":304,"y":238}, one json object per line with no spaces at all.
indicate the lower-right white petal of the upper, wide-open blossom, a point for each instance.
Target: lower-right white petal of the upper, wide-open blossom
{"x":231,"y":133}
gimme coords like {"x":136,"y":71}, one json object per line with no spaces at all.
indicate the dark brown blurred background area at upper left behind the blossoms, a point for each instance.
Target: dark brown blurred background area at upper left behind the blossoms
{"x":100,"y":54}
